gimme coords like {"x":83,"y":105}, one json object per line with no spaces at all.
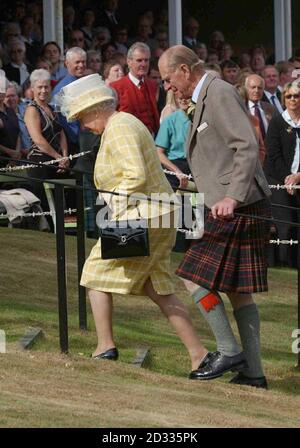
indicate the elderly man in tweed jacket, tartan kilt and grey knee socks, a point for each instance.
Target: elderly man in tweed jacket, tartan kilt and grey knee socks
{"x":222,"y":152}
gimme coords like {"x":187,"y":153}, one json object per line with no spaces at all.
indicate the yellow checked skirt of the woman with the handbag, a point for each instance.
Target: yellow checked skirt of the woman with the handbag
{"x":128,"y":276}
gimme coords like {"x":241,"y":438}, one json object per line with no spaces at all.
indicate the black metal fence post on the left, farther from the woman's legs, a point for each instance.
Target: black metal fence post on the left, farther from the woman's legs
{"x":61,"y":268}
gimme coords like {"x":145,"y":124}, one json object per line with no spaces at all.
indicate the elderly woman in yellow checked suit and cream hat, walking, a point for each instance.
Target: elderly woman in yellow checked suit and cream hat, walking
{"x":127,"y":162}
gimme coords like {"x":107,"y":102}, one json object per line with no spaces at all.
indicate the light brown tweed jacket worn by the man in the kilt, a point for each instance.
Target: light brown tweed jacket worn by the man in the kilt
{"x":222,"y":148}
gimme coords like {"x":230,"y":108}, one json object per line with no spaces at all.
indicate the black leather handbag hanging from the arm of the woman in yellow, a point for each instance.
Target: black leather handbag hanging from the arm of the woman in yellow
{"x":124,"y":239}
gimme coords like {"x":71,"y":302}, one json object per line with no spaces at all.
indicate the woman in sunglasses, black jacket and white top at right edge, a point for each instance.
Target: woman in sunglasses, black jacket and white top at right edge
{"x":282,"y":168}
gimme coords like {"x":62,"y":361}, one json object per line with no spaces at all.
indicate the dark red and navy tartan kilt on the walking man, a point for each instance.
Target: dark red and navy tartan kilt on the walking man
{"x":231,"y":255}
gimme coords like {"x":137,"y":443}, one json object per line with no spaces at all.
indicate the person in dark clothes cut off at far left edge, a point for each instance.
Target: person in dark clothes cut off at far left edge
{"x":10,"y":143}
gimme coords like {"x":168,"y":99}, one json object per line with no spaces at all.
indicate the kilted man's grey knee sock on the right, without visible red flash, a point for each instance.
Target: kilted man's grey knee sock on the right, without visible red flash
{"x":247,"y":319}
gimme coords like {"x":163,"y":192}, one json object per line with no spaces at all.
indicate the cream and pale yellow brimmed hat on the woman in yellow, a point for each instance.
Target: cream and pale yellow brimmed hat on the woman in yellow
{"x":81,"y":94}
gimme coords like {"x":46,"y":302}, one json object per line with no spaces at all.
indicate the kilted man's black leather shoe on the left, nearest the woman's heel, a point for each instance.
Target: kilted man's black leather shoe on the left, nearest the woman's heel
{"x":218,"y":364}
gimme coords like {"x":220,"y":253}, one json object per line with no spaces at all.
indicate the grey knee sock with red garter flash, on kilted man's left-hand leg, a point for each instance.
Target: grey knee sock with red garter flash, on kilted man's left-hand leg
{"x":212,"y":309}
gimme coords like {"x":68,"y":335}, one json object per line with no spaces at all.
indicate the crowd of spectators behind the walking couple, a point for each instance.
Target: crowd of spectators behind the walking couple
{"x":96,"y":40}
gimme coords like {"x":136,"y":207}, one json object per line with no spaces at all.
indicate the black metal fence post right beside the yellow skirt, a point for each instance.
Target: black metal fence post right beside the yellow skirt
{"x":80,"y":250}
